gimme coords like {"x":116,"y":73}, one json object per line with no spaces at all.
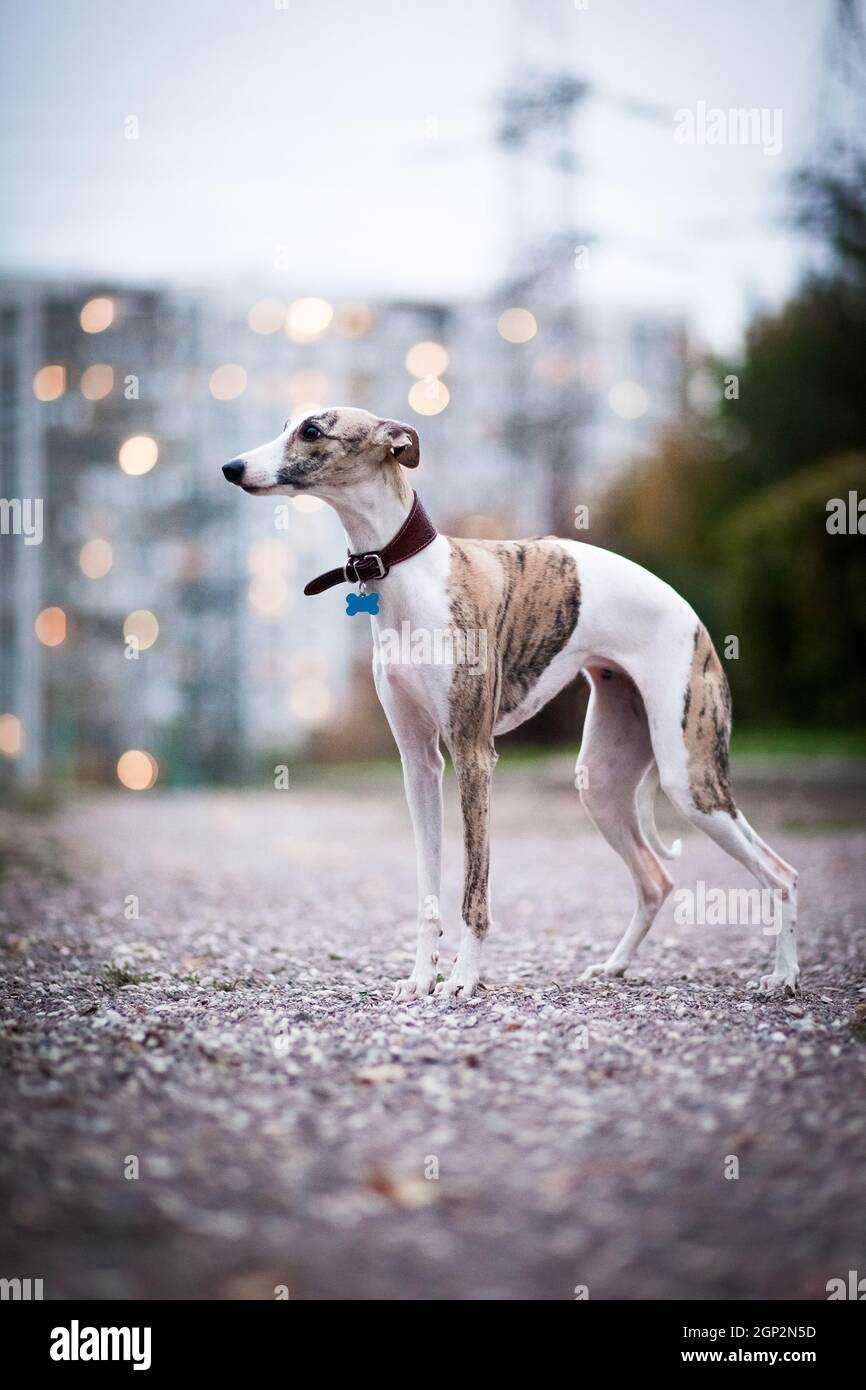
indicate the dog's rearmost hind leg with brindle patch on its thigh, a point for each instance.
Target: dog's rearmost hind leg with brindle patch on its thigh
{"x":690,"y":714}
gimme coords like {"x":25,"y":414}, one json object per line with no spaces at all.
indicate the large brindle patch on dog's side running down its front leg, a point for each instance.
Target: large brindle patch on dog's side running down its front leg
{"x":526,"y":597}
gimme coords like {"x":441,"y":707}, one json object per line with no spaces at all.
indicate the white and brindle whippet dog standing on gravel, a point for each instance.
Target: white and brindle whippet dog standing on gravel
{"x":660,"y":707}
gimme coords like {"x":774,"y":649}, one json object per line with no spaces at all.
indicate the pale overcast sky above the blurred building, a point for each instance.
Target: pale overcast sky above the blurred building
{"x":359,"y":136}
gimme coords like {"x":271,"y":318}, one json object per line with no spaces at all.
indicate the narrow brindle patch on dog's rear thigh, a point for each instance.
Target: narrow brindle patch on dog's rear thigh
{"x":707,"y":728}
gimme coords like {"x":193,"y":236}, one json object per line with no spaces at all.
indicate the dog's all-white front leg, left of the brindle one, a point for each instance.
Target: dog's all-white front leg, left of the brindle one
{"x":418,"y":740}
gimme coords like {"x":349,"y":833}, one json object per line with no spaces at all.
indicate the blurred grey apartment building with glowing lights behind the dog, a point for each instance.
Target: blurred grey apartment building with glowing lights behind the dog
{"x":162,"y":621}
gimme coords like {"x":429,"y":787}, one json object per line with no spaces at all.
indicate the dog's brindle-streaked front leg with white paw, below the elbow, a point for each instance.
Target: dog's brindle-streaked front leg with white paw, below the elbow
{"x":475,"y":771}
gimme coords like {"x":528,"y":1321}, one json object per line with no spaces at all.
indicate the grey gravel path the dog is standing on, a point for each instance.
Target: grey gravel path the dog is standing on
{"x":237,"y":1046}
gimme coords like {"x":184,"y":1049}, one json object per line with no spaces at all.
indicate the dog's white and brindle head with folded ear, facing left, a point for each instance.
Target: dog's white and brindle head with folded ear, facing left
{"x":326,"y":452}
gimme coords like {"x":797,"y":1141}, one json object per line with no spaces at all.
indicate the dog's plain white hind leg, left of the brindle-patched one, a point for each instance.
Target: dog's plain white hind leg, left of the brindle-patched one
{"x":615,"y":758}
